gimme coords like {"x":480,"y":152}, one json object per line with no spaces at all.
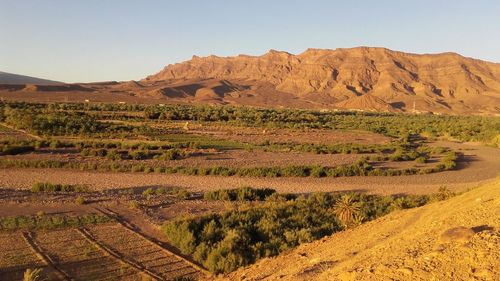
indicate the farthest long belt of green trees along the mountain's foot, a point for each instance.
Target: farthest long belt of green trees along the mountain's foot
{"x":78,"y":119}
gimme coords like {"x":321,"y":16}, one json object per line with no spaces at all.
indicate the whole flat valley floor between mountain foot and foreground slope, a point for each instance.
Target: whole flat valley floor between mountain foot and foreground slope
{"x":136,"y":192}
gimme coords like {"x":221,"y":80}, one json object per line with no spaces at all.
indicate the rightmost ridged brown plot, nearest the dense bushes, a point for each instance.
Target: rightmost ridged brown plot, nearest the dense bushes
{"x":153,"y":258}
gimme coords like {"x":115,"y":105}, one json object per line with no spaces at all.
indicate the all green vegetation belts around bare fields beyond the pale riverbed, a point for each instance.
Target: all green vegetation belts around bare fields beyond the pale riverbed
{"x":148,"y":140}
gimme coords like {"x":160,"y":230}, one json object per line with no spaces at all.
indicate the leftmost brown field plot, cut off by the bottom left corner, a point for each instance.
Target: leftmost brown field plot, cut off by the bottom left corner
{"x":16,"y":256}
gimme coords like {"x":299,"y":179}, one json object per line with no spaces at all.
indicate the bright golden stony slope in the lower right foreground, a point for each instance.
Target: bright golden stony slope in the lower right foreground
{"x":456,"y":239}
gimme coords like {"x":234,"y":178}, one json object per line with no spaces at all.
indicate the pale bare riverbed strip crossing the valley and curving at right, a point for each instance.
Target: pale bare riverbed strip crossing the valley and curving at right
{"x":480,"y":164}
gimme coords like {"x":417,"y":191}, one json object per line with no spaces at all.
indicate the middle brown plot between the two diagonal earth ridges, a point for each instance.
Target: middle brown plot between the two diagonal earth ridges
{"x":80,"y":259}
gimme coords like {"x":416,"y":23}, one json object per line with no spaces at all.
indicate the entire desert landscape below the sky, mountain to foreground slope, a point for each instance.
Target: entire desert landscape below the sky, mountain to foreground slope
{"x":216,"y":163}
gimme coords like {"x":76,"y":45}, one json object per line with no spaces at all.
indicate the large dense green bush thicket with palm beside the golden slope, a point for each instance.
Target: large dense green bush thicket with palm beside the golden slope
{"x":226,"y":241}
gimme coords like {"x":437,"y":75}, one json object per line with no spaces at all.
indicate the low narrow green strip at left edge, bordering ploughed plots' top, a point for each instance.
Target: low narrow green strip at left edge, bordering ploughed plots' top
{"x":47,"y":222}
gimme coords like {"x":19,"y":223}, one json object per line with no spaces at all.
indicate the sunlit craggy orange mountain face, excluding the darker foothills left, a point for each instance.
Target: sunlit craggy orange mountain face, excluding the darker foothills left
{"x":441,"y":81}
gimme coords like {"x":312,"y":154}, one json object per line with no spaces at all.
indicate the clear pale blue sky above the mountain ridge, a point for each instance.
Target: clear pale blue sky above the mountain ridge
{"x":98,"y":40}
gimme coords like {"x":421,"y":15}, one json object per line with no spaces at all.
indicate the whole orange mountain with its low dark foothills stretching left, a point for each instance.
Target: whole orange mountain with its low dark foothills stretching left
{"x":363,"y":78}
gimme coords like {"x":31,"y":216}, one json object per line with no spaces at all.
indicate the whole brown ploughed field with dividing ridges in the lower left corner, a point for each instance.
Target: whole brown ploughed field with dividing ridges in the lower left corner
{"x":98,"y":252}
